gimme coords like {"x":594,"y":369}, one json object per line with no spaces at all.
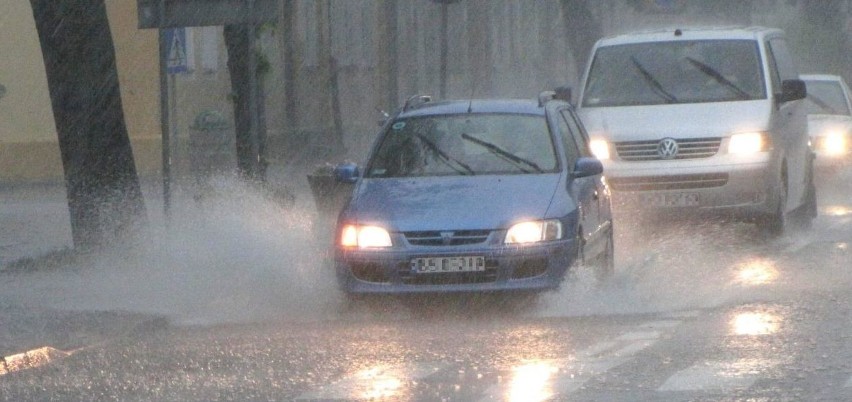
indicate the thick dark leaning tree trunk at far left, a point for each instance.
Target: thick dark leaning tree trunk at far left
{"x":104,"y":198}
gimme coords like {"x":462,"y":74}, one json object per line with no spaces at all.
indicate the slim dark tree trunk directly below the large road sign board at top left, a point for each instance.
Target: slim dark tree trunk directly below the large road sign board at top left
{"x":251,"y":147}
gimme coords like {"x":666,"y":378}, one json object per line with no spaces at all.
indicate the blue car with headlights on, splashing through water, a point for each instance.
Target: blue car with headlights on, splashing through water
{"x":474,"y":196}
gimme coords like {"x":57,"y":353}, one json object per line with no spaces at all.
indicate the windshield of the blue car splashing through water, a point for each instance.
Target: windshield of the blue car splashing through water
{"x":465,"y":144}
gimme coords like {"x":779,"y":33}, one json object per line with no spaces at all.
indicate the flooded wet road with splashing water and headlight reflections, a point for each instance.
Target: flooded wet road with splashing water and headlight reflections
{"x":230,"y":306}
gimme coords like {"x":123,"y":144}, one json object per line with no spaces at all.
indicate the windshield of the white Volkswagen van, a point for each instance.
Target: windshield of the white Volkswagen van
{"x":675,"y":72}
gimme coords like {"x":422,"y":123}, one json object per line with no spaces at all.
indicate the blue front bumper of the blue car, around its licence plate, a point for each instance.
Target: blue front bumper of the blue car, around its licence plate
{"x":507,"y":268}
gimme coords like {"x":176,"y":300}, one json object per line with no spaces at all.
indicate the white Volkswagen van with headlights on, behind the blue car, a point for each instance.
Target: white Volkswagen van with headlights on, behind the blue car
{"x":702,"y":120}
